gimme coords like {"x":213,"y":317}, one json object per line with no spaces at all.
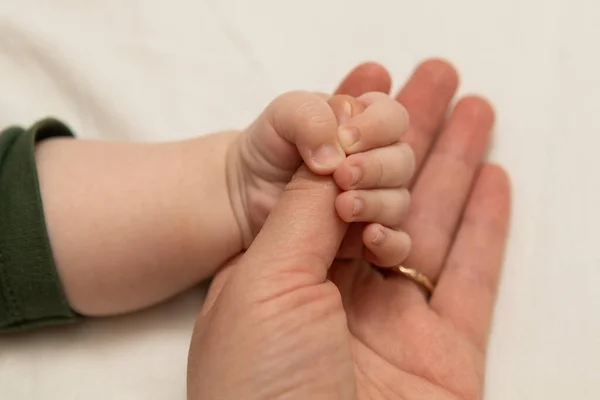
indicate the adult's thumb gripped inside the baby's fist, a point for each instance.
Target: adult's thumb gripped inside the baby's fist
{"x":301,"y":236}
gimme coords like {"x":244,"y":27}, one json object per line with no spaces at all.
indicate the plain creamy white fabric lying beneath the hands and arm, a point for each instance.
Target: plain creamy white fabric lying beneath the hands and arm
{"x":157,"y":70}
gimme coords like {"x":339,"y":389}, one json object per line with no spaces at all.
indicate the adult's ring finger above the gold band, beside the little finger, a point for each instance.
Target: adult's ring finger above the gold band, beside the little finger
{"x":440,"y":194}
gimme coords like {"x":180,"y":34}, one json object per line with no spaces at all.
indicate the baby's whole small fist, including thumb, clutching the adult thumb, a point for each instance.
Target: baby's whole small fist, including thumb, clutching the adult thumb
{"x":355,"y":139}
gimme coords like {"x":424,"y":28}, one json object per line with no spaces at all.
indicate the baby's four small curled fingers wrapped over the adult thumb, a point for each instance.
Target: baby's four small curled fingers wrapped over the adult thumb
{"x":372,"y":178}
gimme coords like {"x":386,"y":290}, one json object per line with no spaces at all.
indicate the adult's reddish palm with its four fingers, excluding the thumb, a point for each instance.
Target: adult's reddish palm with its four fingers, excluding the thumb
{"x":414,"y":347}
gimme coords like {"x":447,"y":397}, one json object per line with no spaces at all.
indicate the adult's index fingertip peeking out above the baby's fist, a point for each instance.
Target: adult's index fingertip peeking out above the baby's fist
{"x":367,"y":77}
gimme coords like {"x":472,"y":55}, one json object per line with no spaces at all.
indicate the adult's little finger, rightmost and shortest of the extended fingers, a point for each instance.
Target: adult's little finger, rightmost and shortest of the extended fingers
{"x":467,"y":287}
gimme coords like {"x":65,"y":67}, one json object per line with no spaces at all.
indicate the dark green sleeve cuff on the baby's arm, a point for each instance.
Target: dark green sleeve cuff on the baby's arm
{"x":31,"y":294}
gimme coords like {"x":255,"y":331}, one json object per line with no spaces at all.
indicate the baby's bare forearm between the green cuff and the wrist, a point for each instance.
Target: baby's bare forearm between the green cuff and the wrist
{"x":133,"y":224}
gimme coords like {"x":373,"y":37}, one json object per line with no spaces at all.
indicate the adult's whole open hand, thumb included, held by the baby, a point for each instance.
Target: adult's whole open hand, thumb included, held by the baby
{"x":279,"y":322}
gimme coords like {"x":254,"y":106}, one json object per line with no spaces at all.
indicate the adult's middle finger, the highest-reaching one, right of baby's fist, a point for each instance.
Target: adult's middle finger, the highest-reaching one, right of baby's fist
{"x":426,"y":96}
